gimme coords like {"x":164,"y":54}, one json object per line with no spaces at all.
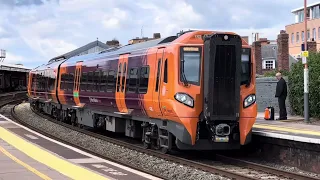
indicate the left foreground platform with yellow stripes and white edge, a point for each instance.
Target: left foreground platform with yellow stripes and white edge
{"x":25,"y":154}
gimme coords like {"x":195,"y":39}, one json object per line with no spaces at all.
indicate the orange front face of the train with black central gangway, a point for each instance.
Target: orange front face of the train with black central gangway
{"x":224,"y":98}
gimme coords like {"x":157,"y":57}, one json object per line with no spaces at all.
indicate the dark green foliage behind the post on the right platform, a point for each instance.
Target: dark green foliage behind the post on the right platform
{"x":296,"y":86}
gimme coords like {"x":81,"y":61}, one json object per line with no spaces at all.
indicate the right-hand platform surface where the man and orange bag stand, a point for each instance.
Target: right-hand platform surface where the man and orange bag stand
{"x":292,"y":129}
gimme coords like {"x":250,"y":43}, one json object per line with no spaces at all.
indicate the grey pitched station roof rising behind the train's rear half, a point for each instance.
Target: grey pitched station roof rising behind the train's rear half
{"x":81,"y":49}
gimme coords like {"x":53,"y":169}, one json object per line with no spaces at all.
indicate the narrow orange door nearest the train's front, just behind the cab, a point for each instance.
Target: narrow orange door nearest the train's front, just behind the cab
{"x":157,"y":90}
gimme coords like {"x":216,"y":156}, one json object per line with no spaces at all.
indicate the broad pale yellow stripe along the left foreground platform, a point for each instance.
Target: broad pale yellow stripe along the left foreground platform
{"x":64,"y":167}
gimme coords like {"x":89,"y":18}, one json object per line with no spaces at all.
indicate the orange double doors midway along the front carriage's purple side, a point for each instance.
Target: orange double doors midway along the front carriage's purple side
{"x":121,"y":83}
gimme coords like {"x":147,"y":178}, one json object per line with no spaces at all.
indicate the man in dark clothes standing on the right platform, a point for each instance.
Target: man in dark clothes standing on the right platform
{"x":281,"y":94}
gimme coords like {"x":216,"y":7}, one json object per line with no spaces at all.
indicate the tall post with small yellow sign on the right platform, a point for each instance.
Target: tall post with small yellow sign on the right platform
{"x":306,"y":71}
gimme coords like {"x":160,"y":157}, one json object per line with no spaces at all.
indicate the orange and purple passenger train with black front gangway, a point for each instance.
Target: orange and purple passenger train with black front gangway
{"x":195,"y":91}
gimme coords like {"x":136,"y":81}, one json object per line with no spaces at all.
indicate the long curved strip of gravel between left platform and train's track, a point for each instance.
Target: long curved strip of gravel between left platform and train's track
{"x":160,"y":166}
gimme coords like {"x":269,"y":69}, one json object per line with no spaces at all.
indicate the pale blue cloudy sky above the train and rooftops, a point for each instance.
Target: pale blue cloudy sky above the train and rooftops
{"x":33,"y":31}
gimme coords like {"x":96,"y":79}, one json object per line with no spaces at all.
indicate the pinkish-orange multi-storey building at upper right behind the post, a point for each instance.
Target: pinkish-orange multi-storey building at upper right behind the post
{"x":296,"y":30}
